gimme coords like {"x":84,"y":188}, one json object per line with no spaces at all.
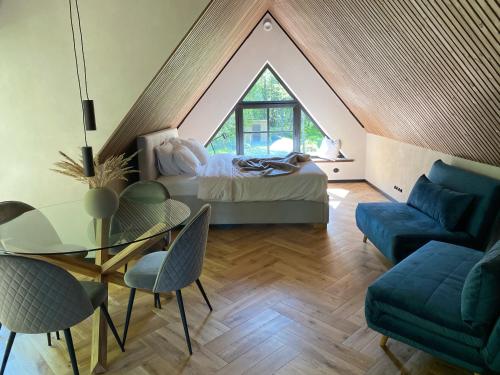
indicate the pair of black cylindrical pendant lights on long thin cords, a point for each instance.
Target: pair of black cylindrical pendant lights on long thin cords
{"x":88,"y":113}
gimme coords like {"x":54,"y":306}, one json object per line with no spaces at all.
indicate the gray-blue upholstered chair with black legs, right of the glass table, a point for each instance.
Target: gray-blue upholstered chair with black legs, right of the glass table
{"x":174,"y":269}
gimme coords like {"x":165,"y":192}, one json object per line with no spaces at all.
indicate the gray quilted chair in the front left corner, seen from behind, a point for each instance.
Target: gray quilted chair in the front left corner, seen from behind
{"x":38,"y":297}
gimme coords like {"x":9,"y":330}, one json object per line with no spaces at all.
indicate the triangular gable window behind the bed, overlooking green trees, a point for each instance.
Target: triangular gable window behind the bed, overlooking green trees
{"x":268,"y":120}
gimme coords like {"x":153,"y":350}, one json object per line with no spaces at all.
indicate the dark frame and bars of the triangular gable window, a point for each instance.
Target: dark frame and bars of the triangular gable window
{"x":296,"y":106}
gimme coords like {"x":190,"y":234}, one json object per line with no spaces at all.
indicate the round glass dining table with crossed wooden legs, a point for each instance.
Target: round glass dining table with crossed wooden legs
{"x":57,"y":233}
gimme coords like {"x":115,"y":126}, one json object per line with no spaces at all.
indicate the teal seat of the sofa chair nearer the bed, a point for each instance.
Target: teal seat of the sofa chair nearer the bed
{"x":398,"y":229}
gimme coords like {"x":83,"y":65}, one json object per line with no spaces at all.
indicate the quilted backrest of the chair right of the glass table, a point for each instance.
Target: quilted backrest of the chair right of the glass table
{"x":184,"y":261}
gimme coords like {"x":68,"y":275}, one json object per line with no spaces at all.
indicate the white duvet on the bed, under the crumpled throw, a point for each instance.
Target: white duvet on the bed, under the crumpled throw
{"x":219,"y":180}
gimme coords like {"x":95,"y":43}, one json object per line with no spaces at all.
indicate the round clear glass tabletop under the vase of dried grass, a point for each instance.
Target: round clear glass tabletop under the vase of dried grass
{"x":67,"y":228}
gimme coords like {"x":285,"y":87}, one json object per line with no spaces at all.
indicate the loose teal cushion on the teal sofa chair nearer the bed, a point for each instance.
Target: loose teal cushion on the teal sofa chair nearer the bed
{"x":442,"y":204}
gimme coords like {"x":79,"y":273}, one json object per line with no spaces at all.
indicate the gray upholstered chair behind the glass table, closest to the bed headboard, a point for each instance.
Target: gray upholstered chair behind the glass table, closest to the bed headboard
{"x":132,"y":199}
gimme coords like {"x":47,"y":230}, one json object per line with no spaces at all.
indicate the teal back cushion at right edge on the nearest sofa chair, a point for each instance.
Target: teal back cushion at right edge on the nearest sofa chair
{"x":481,"y":292}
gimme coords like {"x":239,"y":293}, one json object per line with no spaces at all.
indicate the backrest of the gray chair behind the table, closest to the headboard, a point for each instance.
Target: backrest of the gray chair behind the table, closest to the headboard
{"x":129,"y":217}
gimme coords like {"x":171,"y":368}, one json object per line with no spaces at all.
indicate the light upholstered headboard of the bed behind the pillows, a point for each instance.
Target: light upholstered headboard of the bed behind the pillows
{"x":147,"y":159}
